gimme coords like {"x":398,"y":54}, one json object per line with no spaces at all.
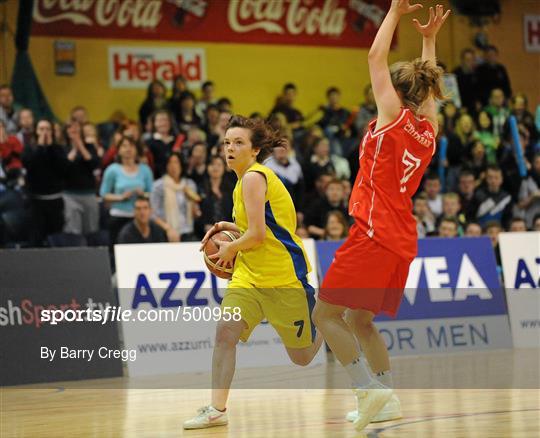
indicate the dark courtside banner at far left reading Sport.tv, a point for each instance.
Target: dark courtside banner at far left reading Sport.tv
{"x":34,"y":350}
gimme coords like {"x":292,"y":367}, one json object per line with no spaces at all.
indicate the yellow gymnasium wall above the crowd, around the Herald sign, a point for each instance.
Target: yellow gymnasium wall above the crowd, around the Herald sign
{"x":252,"y":75}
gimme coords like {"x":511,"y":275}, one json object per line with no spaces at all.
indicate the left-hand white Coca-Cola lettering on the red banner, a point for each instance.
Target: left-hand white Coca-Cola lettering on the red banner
{"x":136,"y":13}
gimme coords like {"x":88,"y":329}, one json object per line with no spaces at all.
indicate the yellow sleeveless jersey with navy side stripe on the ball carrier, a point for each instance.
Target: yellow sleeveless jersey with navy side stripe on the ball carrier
{"x":281,"y":258}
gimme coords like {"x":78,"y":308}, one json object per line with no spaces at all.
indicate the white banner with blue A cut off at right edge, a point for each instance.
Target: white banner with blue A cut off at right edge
{"x":520,"y":256}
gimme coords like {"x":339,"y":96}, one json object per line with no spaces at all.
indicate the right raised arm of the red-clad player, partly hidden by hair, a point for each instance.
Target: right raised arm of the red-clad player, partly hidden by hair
{"x":429,"y":32}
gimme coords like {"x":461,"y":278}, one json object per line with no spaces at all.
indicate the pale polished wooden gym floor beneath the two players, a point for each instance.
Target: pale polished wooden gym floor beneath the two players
{"x":125,"y":407}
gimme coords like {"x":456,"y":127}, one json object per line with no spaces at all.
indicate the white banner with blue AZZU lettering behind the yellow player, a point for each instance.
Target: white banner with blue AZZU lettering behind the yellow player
{"x":176,"y":303}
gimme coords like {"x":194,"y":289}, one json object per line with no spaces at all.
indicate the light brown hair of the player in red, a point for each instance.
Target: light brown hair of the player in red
{"x":416,"y":81}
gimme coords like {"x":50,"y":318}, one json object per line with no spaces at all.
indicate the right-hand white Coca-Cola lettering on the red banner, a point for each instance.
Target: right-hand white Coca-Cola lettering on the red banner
{"x":287,"y":16}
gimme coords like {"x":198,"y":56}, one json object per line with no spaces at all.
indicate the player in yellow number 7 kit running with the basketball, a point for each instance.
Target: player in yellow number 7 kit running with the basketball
{"x":270,"y":271}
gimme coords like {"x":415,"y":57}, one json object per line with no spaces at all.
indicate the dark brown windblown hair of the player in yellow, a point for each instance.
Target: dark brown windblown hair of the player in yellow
{"x":263,"y":137}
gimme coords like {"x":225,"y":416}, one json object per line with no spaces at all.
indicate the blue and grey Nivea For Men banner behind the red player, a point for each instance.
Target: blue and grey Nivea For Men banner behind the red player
{"x":453,"y":299}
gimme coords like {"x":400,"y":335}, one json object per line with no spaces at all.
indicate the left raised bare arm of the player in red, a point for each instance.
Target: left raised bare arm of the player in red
{"x":387,"y":100}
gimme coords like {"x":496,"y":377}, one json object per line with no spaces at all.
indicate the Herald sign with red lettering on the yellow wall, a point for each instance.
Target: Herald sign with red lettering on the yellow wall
{"x":135,"y":67}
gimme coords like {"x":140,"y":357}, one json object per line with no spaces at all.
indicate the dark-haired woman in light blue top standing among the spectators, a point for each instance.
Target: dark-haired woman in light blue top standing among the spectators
{"x":122,"y":183}
